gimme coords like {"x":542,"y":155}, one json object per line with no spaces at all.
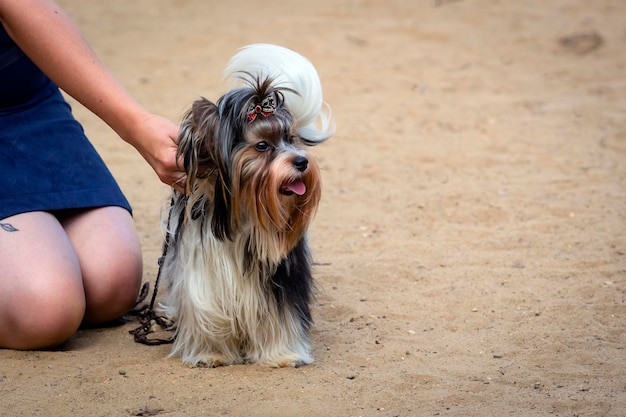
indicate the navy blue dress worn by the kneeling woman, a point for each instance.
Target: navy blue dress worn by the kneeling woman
{"x":46,"y":162}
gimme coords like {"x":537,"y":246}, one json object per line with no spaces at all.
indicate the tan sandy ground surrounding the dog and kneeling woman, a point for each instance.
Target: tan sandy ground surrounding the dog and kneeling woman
{"x":471,"y":242}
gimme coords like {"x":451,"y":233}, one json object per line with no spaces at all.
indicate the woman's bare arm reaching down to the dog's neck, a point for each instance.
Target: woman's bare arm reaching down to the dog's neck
{"x":53,"y":42}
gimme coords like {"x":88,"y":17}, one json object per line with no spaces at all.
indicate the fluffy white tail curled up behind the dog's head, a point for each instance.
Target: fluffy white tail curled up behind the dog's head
{"x":293,"y":71}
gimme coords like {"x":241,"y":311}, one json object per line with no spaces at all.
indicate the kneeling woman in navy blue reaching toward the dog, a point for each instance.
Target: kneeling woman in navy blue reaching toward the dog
{"x":69,"y":252}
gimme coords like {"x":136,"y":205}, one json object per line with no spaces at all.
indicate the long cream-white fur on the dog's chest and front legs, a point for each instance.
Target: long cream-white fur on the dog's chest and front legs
{"x":227,"y":315}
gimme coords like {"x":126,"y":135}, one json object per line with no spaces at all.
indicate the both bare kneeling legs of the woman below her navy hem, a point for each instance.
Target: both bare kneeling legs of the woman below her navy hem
{"x":84,"y":266}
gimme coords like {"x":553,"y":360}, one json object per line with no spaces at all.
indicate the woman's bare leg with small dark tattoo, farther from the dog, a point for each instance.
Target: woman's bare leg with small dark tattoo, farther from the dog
{"x":42,"y":299}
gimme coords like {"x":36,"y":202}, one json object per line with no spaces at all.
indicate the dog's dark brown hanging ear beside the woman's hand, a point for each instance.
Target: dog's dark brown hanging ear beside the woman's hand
{"x":197,"y":130}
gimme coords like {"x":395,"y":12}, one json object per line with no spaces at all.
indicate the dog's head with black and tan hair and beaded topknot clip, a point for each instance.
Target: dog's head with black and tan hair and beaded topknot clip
{"x":247,"y":166}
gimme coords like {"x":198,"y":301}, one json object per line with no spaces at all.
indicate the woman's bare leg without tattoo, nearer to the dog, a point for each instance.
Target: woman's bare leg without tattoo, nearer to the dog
{"x":109,"y":253}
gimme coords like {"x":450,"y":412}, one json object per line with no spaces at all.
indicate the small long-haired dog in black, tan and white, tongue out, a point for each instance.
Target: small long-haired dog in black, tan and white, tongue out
{"x":238,"y":265}
